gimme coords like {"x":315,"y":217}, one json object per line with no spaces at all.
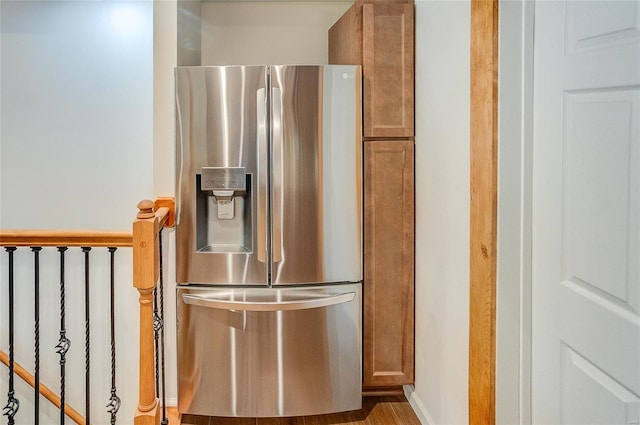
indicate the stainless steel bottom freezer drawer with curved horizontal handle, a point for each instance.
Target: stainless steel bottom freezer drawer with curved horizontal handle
{"x":267,"y":352}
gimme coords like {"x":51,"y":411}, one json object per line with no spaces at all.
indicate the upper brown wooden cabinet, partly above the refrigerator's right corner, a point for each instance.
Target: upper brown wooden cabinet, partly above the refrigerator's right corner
{"x":379,"y":36}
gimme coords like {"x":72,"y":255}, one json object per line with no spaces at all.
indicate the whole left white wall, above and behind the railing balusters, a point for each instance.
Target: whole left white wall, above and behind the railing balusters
{"x":75,"y":152}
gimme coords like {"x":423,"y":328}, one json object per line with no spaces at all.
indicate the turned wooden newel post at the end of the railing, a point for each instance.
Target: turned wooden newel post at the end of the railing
{"x":145,"y":275}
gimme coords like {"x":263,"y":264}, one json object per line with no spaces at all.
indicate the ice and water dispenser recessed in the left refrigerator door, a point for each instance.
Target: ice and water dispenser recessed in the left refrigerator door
{"x":223,"y":210}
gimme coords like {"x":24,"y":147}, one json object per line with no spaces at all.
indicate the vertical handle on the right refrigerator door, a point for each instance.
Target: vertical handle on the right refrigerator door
{"x":277,"y":173}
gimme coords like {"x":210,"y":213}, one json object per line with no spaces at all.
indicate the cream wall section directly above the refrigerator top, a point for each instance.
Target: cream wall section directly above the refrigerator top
{"x":245,"y":33}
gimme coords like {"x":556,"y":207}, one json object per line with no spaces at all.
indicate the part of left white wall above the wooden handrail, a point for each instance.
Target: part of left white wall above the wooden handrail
{"x":76,"y":113}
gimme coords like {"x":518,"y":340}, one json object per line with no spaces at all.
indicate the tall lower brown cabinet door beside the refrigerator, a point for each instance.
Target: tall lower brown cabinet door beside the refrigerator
{"x":389,"y":263}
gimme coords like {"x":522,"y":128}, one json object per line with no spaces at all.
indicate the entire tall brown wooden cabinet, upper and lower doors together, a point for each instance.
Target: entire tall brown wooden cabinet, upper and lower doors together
{"x":379,"y":34}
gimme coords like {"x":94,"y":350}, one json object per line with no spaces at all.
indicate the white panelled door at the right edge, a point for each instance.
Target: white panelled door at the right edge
{"x":586,"y":215}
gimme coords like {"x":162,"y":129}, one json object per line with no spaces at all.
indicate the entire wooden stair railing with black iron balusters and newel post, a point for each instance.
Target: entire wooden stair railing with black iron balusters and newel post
{"x":146,"y":242}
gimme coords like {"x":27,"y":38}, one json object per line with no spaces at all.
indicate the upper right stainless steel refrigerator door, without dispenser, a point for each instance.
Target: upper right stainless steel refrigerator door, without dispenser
{"x":316,"y":174}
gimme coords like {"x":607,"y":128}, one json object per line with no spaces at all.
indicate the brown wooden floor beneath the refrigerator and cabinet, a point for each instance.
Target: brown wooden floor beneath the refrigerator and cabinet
{"x":390,"y":410}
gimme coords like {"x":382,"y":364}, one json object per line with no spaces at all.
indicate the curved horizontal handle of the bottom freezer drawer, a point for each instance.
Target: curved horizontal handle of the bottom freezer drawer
{"x":299,"y":304}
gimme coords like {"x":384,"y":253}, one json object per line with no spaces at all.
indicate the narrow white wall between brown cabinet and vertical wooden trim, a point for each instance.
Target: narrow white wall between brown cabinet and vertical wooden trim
{"x":442,"y":211}
